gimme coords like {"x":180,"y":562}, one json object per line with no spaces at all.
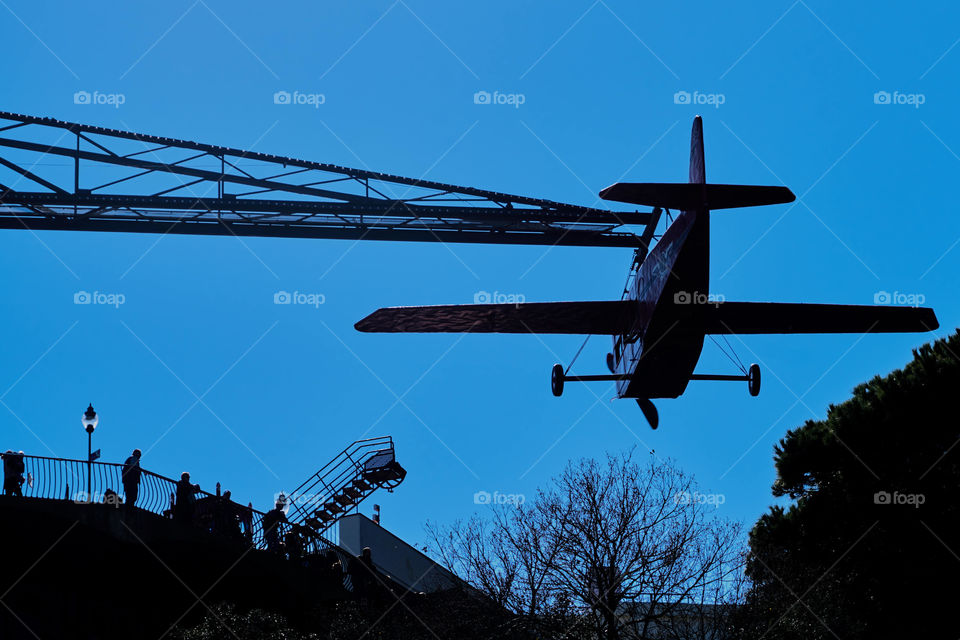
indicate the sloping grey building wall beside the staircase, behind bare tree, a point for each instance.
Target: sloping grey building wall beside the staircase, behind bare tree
{"x":400,"y":561}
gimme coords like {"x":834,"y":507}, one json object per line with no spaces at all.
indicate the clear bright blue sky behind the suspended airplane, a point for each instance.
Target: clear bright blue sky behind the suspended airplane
{"x":283,"y":388}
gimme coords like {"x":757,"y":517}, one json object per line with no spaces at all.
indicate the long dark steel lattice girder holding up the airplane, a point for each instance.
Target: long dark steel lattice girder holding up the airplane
{"x":325,"y":201}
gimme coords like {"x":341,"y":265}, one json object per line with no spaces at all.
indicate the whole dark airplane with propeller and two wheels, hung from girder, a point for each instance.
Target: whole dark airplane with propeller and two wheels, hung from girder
{"x":659,"y":325}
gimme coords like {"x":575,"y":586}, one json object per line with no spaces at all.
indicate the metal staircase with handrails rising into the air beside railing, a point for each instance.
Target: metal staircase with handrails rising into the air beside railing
{"x":344,"y":482}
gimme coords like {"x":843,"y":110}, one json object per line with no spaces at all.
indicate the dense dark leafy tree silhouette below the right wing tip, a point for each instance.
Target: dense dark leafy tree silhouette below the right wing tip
{"x":870,"y":544}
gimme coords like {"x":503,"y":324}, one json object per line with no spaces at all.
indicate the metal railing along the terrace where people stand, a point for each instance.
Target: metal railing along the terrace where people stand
{"x":66,"y":479}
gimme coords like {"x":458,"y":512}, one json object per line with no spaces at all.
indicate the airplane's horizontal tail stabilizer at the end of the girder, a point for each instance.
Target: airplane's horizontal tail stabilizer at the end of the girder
{"x":690,"y":197}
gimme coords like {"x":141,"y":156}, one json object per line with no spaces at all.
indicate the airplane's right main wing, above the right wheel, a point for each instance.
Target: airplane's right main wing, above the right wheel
{"x":776,"y":317}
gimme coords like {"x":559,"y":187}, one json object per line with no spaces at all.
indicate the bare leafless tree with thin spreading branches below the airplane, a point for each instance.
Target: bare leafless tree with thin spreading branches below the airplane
{"x":610,"y":548}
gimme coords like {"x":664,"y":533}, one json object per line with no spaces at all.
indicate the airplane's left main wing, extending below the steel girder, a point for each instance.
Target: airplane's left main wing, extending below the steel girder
{"x":606,"y":317}
